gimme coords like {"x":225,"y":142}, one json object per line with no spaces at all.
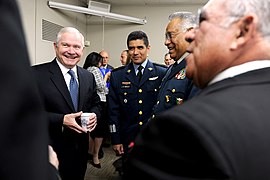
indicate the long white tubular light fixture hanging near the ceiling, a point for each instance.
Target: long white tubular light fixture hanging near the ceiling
{"x":96,"y":12}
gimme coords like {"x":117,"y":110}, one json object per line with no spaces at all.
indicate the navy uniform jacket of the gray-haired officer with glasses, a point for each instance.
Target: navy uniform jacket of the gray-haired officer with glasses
{"x":175,"y":88}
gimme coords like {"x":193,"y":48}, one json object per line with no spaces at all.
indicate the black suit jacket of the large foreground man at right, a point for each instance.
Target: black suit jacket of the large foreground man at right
{"x":223,"y":133}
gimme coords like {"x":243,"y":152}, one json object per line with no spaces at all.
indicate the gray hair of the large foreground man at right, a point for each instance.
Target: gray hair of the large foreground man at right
{"x":238,"y":9}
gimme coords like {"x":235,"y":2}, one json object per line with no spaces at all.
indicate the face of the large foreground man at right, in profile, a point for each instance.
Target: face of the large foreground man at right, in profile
{"x":210,"y":44}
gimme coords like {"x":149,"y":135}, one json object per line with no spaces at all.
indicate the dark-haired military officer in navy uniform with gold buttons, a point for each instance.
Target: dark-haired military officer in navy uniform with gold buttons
{"x":131,"y":97}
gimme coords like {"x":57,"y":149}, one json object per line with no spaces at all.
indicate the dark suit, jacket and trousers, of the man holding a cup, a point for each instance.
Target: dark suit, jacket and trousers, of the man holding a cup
{"x":70,"y":146}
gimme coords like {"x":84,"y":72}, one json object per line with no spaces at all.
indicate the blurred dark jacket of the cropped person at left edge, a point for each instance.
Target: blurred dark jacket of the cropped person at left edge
{"x":24,"y":128}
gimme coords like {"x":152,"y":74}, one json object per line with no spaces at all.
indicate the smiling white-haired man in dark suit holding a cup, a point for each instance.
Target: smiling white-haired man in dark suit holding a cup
{"x":68,"y":138}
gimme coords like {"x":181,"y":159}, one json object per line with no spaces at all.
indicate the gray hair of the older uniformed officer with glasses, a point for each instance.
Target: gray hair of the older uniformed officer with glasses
{"x":188,"y":19}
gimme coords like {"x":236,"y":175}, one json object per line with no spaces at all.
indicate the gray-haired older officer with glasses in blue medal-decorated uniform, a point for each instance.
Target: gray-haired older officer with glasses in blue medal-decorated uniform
{"x":176,"y":87}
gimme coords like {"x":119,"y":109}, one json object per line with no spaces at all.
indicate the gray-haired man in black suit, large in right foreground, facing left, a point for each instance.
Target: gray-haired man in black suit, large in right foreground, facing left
{"x":223,"y":132}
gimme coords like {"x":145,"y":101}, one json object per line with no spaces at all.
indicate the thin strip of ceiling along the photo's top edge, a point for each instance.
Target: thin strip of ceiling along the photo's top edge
{"x":148,"y":2}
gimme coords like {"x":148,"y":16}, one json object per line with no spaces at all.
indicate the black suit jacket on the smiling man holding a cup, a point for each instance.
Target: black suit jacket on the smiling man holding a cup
{"x":57,"y":98}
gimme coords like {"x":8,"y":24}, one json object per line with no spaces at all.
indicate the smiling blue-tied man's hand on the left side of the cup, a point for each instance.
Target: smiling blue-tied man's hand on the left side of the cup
{"x":70,"y":122}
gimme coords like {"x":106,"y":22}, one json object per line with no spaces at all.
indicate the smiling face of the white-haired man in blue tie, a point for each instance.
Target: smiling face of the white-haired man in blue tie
{"x":69,"y":49}
